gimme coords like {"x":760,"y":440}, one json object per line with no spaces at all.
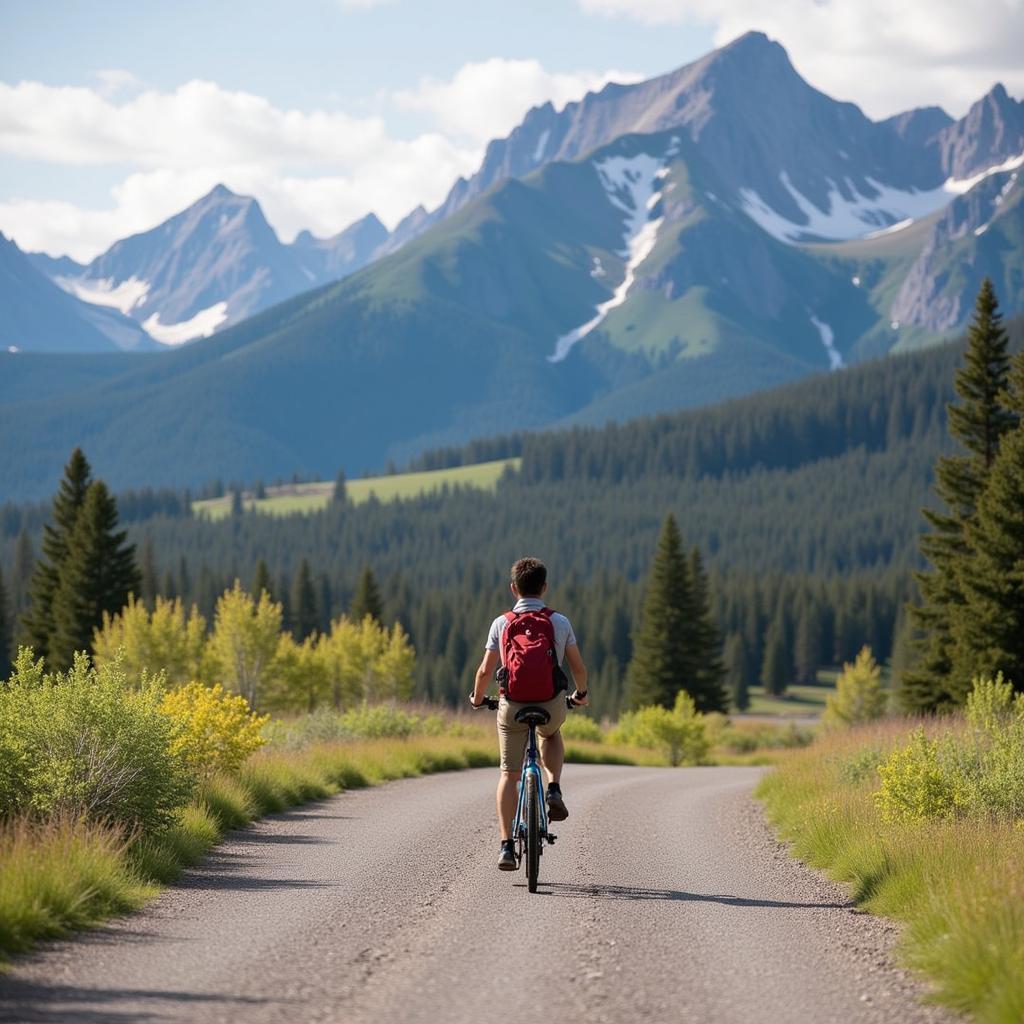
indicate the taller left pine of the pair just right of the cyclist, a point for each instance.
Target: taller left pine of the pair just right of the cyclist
{"x":663,"y":662}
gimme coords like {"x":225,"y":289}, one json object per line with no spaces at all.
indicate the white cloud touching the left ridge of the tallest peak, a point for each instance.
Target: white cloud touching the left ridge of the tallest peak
{"x":489,"y":99}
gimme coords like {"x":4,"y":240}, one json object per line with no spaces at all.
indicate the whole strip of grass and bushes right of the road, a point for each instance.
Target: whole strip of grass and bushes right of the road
{"x":925,"y":822}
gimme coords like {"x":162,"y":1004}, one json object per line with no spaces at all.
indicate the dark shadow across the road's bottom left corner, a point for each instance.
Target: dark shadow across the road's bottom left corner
{"x":46,"y":1004}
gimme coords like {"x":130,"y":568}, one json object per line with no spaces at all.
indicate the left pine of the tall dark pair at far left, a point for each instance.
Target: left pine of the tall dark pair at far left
{"x":38,"y":624}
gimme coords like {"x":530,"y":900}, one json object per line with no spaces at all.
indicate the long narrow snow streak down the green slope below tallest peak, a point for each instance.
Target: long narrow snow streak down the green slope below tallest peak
{"x":633,"y":185}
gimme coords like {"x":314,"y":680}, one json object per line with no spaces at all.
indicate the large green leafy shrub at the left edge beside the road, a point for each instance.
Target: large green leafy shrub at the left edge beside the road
{"x":86,"y":743}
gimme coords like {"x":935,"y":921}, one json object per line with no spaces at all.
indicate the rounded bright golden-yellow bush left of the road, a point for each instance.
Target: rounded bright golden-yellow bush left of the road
{"x":214,"y":731}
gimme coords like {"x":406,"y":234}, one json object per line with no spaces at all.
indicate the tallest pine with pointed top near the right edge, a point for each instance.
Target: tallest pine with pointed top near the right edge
{"x":978,"y":422}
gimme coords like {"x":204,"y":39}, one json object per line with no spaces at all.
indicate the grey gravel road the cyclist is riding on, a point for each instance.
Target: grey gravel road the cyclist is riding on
{"x":665,"y":900}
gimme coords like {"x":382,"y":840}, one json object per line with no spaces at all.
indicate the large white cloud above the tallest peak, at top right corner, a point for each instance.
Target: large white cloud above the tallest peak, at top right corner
{"x":885,"y":57}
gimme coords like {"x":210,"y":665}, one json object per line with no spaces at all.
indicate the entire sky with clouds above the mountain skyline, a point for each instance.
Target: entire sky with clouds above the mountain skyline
{"x":115,"y":115}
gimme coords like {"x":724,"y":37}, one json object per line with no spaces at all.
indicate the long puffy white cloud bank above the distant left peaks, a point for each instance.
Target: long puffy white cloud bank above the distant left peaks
{"x":319,"y":170}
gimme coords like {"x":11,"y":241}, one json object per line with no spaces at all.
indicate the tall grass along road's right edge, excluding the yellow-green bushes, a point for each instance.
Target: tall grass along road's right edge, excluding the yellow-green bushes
{"x":957,"y":883}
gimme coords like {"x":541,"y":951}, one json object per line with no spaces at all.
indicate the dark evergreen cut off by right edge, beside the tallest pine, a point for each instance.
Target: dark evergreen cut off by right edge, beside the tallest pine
{"x":989,"y":628}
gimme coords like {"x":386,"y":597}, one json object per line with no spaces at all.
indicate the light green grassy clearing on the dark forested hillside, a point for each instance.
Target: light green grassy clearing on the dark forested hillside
{"x":292,"y":499}
